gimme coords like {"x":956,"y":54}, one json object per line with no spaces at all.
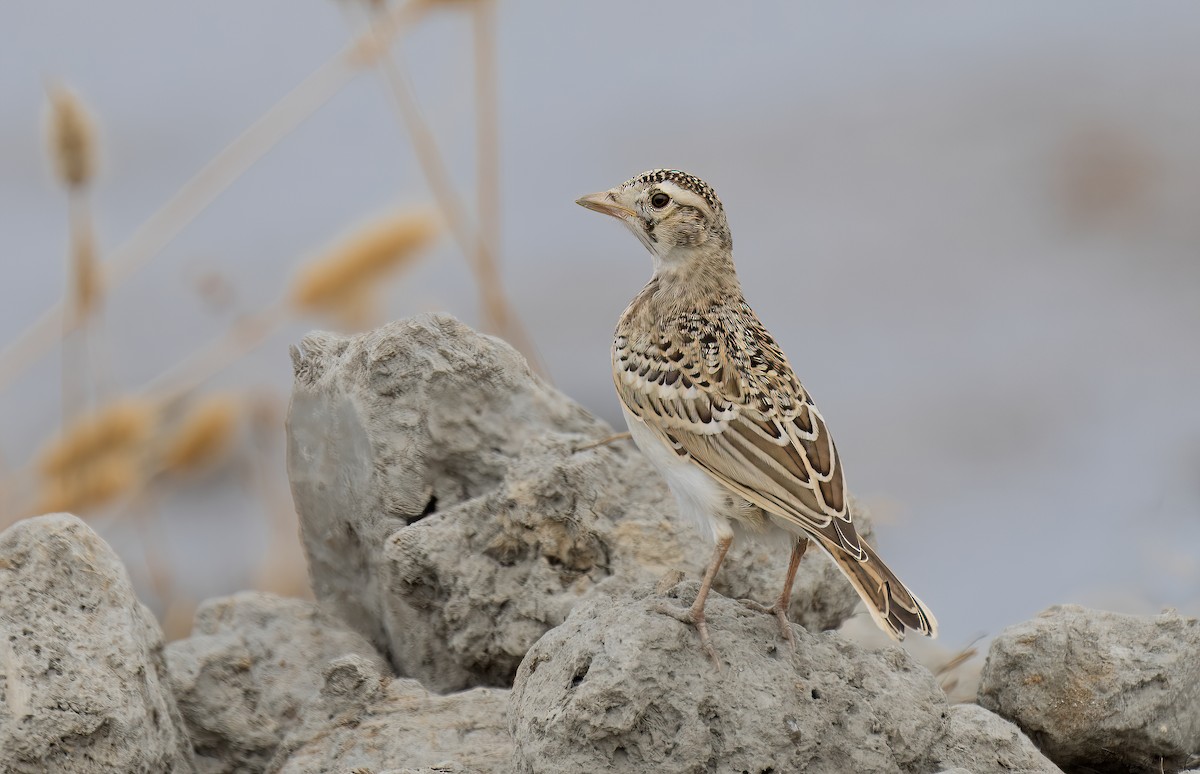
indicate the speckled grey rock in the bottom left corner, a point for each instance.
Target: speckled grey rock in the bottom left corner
{"x":82,"y":680}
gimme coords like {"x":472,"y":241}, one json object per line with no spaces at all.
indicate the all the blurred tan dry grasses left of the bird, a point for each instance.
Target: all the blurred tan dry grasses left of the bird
{"x":121,"y":455}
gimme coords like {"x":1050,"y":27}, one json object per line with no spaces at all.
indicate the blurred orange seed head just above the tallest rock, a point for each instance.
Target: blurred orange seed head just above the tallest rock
{"x":362,"y":260}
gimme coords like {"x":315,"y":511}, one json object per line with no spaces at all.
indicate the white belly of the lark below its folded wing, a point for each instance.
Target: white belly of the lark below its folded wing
{"x":701,"y":500}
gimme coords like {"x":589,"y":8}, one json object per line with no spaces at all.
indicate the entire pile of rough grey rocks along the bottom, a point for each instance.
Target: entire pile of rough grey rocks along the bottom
{"x":485,"y":591}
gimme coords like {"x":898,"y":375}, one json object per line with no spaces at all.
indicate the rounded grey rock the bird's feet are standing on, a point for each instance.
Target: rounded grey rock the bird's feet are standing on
{"x":622,"y":688}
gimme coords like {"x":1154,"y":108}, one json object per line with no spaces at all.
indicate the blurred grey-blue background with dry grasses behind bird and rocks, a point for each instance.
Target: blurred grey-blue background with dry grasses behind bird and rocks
{"x":974,"y":227}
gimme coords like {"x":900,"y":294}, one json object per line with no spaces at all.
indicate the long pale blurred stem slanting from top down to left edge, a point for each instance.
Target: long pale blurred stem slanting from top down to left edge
{"x":212,"y":181}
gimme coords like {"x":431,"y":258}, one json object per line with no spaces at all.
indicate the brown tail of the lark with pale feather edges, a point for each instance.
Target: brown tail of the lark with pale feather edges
{"x":891,"y":604}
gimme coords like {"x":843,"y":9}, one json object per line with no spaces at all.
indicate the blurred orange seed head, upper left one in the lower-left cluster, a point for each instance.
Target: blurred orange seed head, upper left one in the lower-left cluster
{"x":121,"y":427}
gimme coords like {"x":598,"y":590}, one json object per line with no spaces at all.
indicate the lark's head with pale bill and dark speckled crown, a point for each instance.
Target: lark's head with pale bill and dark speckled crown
{"x":677,"y":217}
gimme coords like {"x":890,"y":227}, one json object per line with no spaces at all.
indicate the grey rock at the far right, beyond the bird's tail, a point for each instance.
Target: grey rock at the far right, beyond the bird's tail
{"x":1101,"y":691}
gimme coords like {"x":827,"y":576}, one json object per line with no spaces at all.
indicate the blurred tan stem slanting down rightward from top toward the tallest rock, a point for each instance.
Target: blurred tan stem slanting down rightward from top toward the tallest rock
{"x":499,"y":316}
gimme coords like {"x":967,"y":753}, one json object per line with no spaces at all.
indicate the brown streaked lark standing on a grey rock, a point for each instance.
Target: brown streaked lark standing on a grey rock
{"x":715,"y":405}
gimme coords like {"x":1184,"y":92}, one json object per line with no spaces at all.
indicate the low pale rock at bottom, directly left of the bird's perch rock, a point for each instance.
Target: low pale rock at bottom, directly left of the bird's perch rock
{"x":365,"y":722}
